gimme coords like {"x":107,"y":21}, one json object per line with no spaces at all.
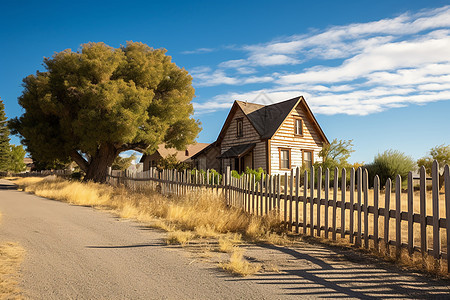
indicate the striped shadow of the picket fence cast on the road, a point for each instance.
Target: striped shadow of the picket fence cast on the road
{"x":324,"y":273}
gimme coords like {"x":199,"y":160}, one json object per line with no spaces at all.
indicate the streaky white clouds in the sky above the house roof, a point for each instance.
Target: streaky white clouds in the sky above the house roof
{"x":376,"y":66}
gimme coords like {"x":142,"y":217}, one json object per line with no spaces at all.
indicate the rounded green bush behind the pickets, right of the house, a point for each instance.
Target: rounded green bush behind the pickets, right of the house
{"x":389,"y":164}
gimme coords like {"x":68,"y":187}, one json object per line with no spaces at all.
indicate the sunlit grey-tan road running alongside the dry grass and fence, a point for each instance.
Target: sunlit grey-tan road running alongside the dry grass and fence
{"x":76,"y":252}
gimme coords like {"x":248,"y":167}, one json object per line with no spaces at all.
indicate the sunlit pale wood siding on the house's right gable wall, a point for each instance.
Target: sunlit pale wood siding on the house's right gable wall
{"x":285,"y":138}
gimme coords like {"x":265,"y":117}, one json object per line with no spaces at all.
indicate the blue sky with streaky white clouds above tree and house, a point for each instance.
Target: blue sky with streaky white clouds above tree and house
{"x":377,"y":72}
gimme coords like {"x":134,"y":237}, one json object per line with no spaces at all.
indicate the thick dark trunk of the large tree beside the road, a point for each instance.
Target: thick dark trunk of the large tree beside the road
{"x":98,"y":165}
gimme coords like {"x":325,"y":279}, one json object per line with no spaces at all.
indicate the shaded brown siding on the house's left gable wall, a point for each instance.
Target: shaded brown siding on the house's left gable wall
{"x":250,"y":135}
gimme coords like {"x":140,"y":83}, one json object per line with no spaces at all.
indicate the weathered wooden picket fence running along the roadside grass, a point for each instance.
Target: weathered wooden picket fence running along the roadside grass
{"x":321,"y":205}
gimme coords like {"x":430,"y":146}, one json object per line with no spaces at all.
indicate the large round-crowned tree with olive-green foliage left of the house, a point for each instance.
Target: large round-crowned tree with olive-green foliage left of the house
{"x":95,"y":103}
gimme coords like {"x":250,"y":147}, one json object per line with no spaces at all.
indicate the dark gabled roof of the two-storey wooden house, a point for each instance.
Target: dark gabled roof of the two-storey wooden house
{"x":267,"y":119}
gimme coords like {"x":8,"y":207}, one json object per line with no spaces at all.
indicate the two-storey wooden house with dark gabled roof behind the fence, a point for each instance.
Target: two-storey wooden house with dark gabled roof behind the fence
{"x":276,"y":138}
